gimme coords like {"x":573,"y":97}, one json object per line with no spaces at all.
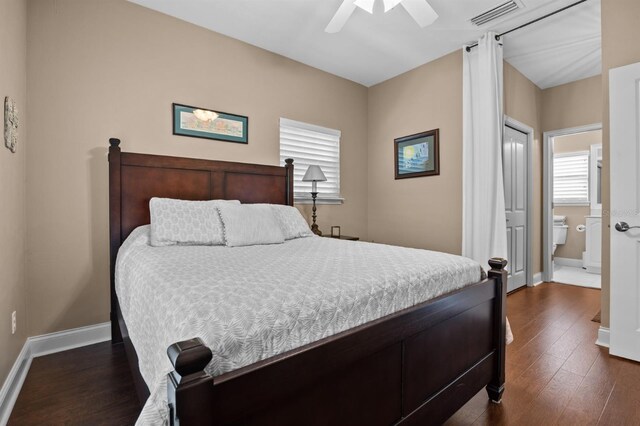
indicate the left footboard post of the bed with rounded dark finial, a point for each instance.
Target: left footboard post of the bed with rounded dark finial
{"x":189,"y":387}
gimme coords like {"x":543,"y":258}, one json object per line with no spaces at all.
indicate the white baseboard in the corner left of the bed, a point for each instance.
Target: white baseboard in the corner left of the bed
{"x":43,"y":345}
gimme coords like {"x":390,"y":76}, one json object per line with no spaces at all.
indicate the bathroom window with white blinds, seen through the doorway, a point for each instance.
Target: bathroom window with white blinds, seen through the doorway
{"x":571,"y":178}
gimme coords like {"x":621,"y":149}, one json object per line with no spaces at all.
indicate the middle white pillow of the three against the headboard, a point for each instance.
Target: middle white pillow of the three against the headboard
{"x":250,"y":224}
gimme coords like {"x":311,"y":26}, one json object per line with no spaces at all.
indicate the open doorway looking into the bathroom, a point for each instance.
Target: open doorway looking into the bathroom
{"x":572,"y":209}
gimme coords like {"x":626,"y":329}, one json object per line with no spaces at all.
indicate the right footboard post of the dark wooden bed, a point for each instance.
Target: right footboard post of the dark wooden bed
{"x":498,"y":273}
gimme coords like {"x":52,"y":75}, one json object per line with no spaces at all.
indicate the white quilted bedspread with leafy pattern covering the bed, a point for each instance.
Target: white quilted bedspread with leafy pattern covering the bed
{"x":250,"y":303}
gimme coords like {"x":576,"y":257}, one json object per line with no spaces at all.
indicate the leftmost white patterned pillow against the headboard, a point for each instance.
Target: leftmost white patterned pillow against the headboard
{"x":181,"y":222}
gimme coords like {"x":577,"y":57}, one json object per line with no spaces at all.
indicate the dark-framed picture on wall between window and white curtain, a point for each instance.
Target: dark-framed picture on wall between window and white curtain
{"x":417,"y":155}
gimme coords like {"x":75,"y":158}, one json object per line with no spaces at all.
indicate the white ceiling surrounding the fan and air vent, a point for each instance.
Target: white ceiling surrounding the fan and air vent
{"x":372,"y":48}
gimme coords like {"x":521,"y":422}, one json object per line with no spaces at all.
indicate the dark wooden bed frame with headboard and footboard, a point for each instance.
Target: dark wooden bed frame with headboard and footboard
{"x":415,"y":367}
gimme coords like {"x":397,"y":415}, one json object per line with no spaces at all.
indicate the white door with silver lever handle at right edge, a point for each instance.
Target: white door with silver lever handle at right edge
{"x":624,"y":84}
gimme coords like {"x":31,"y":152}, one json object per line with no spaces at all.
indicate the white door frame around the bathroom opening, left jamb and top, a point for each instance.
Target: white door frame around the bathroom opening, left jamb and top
{"x":547,"y":192}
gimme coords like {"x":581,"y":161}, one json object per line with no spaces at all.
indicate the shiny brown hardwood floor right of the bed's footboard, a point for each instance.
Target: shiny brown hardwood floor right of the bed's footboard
{"x":556,"y":375}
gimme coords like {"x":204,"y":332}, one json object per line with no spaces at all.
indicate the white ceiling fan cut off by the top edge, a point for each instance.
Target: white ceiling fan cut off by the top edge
{"x":420,"y":10}
